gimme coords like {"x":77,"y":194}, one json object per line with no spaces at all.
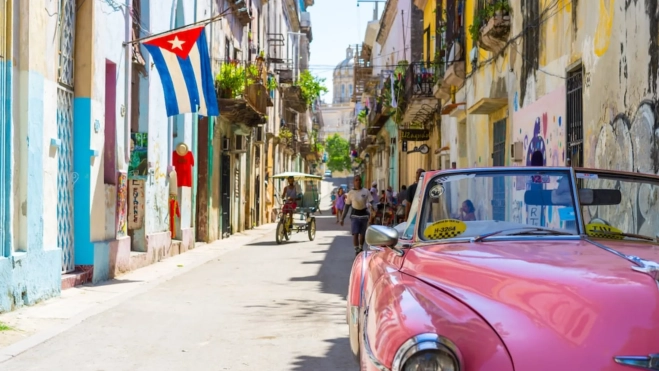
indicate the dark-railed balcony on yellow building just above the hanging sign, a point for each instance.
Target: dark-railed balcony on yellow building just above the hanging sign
{"x":420,"y":80}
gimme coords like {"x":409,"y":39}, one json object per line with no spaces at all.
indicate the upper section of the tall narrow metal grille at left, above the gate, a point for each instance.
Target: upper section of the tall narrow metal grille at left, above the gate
{"x":66,"y":43}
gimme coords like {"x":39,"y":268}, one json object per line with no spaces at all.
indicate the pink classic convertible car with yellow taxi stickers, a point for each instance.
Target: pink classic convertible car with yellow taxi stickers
{"x":513,"y":268}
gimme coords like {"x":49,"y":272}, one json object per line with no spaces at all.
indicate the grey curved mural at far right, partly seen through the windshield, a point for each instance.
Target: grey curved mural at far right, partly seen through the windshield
{"x":631,"y":144}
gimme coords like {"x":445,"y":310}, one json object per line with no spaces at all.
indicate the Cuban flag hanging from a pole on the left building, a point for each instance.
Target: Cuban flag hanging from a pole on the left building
{"x":183,"y":62}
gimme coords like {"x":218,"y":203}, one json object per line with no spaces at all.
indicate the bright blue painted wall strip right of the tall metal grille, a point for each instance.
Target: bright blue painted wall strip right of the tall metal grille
{"x":82,"y":118}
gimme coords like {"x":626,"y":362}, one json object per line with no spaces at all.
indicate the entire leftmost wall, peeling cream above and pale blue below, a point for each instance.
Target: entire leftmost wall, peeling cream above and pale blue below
{"x":31,"y":271}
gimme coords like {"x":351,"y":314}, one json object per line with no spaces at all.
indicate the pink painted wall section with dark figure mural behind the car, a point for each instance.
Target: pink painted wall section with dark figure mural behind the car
{"x":541,"y":126}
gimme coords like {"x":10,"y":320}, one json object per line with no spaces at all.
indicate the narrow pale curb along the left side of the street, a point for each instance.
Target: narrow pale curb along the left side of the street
{"x":38,"y":338}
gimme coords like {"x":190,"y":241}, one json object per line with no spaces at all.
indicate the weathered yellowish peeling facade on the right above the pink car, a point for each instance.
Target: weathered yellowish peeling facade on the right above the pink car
{"x":619,"y":53}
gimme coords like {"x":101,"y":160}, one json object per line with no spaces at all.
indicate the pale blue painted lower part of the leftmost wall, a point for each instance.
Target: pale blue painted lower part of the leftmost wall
{"x":34,"y":275}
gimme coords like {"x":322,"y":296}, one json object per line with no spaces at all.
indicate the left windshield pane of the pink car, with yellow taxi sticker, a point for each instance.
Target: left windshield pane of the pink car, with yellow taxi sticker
{"x":509,"y":202}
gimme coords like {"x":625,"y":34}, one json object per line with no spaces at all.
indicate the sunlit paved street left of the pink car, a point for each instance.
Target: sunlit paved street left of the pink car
{"x":260,"y":307}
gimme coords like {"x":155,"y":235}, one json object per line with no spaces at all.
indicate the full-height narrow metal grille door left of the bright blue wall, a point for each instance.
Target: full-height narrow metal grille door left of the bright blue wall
{"x":66,"y":178}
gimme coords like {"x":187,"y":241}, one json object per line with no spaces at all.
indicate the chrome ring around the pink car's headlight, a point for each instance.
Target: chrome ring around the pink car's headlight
{"x":427,"y":341}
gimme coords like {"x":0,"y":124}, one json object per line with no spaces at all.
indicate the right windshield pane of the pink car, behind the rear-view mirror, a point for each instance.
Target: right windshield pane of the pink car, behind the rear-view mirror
{"x":624,"y":204}
